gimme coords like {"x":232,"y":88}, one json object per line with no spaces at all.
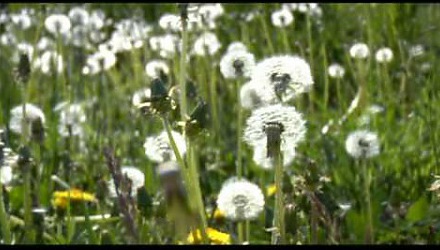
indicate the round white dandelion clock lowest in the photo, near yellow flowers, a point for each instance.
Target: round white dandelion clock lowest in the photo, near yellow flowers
{"x":240,"y":199}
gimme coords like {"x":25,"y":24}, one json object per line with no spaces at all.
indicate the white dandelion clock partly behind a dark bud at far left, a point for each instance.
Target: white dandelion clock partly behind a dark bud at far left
{"x":33,"y":114}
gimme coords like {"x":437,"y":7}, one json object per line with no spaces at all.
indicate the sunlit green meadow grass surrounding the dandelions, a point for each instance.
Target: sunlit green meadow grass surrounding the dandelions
{"x":408,"y":128}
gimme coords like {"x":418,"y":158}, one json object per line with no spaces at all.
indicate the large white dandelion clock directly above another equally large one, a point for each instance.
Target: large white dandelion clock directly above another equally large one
{"x":285,"y":76}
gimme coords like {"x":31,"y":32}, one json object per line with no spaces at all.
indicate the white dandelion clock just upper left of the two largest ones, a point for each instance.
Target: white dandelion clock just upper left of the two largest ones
{"x":236,"y":64}
